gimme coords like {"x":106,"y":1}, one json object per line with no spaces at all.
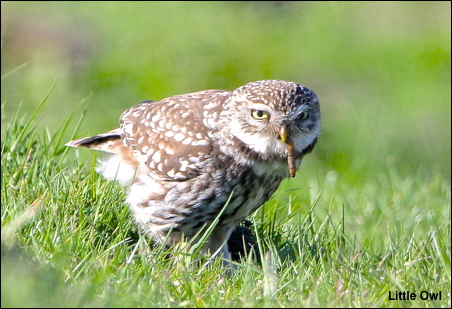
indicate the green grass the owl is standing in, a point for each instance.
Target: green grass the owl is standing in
{"x":68,"y":240}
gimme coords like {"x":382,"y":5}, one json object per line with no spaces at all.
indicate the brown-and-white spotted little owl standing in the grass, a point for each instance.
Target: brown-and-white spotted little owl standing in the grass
{"x":194,"y":157}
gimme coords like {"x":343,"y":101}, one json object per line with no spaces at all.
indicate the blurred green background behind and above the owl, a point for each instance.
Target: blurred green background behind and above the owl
{"x":380,"y":69}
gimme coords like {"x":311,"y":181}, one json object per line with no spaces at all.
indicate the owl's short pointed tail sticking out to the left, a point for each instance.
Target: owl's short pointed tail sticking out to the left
{"x":107,"y":142}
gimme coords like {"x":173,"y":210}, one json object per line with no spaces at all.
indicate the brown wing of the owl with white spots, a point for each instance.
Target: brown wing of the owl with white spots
{"x":170,"y":137}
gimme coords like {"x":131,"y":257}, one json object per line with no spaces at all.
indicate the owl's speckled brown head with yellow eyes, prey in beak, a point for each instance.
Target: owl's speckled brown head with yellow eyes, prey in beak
{"x":274,"y":118}
